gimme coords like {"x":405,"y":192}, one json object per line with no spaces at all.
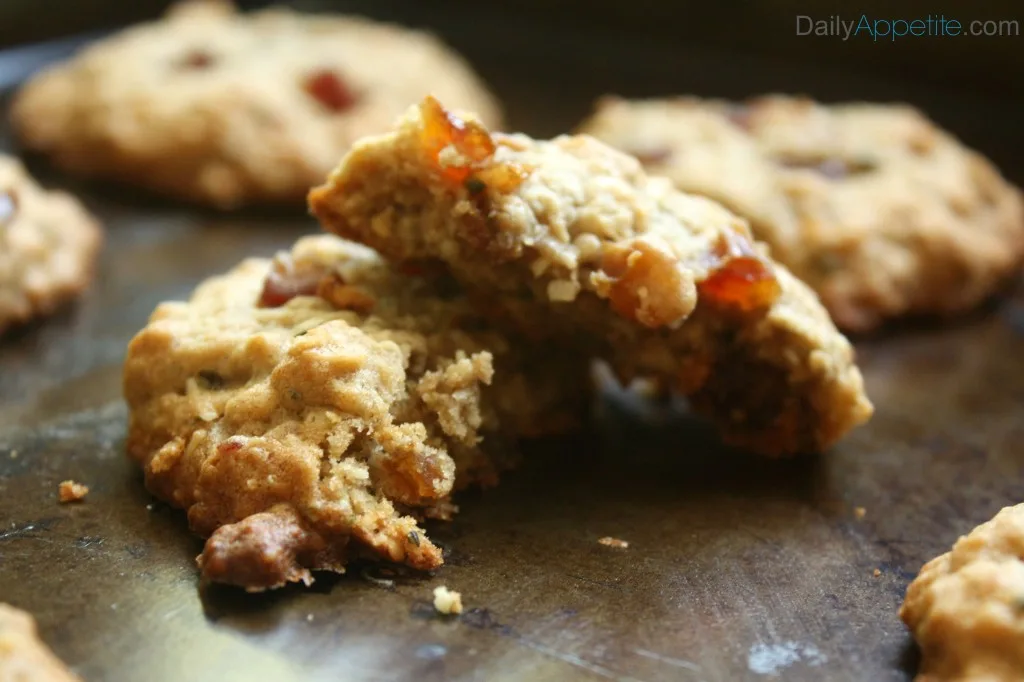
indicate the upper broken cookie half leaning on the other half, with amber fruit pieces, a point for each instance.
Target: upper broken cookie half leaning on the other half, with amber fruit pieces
{"x":569,"y":241}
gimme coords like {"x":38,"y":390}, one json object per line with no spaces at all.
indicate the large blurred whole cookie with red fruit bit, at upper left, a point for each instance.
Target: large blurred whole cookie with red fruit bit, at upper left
{"x":226,"y":109}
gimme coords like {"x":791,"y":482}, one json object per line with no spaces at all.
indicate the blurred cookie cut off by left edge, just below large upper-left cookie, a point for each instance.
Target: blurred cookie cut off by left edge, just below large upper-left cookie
{"x":49,"y":246}
